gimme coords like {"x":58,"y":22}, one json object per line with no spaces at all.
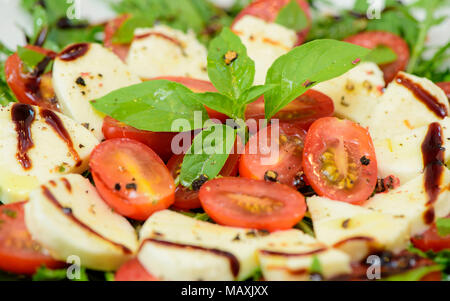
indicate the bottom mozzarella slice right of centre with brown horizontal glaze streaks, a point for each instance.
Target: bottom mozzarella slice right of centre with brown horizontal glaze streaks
{"x":289,"y":255}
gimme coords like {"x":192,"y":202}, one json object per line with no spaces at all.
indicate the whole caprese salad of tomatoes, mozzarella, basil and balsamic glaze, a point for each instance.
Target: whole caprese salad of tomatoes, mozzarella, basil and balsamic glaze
{"x":263,"y":142}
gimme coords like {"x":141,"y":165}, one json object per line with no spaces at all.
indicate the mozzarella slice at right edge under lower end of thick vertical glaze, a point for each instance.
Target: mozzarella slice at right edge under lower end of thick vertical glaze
{"x":409,"y":203}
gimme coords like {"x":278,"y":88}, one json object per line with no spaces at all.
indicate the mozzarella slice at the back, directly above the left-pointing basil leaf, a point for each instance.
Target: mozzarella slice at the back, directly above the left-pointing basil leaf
{"x":163,"y":51}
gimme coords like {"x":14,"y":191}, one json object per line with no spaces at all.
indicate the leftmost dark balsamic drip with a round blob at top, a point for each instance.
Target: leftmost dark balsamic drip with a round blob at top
{"x":23,"y":116}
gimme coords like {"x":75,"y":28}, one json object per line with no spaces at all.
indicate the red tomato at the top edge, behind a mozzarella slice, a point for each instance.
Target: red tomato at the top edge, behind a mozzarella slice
{"x":268,"y":10}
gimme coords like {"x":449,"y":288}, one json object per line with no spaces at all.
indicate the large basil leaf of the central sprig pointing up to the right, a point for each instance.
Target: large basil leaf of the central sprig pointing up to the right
{"x":305,"y":66}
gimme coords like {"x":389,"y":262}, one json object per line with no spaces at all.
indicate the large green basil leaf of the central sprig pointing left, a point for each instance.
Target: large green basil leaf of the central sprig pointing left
{"x":152,"y":105}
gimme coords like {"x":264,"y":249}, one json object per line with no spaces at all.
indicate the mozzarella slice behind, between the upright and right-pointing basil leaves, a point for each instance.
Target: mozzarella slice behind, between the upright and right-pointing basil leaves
{"x":265,"y":42}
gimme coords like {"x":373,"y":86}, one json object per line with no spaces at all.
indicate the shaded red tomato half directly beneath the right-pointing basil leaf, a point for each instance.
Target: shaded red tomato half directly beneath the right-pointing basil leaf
{"x":302,"y":112}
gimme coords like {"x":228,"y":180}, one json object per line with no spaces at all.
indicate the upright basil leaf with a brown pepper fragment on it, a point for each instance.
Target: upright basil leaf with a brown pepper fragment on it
{"x":230,"y":69}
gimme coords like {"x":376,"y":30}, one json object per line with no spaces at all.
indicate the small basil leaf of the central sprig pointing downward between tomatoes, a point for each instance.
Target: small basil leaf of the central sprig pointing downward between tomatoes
{"x":208,"y":153}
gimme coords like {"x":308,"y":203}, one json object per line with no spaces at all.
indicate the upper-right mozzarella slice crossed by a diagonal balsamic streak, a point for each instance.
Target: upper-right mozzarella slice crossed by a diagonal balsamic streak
{"x":400,"y":110}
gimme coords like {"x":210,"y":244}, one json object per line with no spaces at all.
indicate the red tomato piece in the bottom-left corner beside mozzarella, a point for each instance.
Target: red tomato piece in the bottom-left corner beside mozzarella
{"x":20,"y":254}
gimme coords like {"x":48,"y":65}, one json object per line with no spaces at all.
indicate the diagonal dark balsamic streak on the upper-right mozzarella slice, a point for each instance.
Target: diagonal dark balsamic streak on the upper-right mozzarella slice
{"x":423,"y":95}
